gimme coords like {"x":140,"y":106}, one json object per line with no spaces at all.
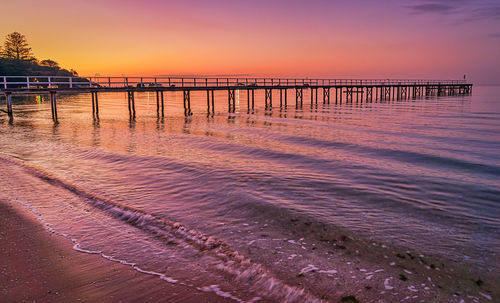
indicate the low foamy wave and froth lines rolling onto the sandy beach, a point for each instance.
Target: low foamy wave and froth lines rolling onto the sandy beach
{"x":253,"y":275}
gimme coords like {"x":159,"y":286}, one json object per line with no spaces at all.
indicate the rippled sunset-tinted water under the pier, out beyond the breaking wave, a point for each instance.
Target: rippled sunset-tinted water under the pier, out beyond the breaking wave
{"x":420,"y":173}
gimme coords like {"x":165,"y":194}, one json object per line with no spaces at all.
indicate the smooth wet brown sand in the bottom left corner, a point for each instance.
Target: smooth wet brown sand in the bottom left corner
{"x":37,"y":266}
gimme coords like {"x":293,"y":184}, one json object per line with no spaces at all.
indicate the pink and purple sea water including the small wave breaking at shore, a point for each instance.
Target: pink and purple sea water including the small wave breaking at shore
{"x":246,"y":194}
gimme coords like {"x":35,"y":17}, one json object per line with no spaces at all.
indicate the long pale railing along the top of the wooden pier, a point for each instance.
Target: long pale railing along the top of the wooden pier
{"x":55,"y":82}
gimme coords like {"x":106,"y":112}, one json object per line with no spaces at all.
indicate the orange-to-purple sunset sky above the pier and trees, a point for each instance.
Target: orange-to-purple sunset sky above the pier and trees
{"x":430,"y":39}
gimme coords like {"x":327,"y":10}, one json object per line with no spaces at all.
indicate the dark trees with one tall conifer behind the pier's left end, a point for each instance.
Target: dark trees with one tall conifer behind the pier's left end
{"x":16,"y":59}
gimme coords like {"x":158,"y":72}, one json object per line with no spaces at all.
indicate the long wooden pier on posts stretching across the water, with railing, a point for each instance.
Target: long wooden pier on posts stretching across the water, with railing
{"x":330,"y":90}
